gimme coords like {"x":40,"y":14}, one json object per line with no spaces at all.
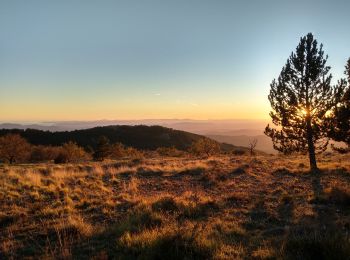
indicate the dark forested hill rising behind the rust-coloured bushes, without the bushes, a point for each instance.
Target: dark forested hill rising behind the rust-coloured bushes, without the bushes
{"x":141,"y":137}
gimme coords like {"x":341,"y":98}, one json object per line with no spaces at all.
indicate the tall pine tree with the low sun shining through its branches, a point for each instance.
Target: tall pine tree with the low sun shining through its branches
{"x":301,"y":99}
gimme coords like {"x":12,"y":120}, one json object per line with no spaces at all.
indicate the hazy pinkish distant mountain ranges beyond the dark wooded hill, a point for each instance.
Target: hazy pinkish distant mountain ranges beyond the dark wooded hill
{"x":235,"y":132}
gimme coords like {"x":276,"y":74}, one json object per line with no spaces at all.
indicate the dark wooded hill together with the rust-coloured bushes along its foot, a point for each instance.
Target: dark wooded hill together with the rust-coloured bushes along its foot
{"x":100,"y":143}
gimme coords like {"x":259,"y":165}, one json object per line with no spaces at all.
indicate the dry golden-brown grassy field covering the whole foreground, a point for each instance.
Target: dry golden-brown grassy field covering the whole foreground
{"x":174,"y":208}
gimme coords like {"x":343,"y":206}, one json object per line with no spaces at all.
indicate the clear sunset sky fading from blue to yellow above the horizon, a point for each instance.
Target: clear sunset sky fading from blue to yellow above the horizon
{"x":197,"y":59}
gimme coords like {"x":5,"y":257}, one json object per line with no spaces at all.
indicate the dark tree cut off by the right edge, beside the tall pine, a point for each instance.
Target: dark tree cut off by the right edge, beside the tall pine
{"x":340,"y":123}
